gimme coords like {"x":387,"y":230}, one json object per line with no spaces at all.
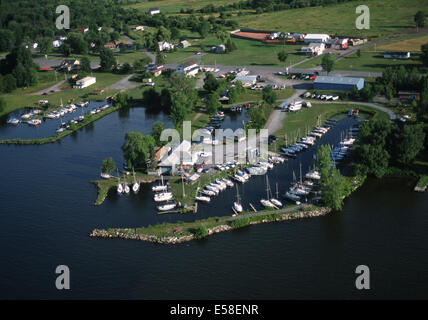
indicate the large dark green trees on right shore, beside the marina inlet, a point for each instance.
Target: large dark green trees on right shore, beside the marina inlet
{"x":381,"y":145}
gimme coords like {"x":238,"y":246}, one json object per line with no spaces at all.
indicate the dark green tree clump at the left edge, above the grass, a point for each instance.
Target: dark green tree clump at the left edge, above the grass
{"x":17,"y":70}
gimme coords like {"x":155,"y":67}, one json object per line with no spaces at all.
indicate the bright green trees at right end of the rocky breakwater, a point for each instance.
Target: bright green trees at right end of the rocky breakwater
{"x":334,"y":187}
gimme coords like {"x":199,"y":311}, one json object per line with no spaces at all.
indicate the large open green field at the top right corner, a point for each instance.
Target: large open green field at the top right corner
{"x":386,"y":18}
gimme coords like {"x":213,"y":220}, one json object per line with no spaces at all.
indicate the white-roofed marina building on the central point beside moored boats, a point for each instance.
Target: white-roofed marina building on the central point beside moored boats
{"x":180,"y":155}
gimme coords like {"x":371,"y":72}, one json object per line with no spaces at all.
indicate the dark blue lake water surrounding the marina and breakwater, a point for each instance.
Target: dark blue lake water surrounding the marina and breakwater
{"x":47,"y":213}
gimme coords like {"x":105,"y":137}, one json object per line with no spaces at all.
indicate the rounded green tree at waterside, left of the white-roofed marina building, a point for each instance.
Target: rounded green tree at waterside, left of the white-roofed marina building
{"x":136,"y":150}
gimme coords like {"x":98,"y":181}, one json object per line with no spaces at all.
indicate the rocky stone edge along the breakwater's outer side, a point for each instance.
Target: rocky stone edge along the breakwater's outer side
{"x":130,"y":234}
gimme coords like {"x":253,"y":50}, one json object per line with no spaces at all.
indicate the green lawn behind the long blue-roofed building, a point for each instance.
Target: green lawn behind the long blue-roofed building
{"x":374,"y":61}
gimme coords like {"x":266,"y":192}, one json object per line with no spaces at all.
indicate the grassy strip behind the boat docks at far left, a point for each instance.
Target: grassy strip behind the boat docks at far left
{"x":18,"y":99}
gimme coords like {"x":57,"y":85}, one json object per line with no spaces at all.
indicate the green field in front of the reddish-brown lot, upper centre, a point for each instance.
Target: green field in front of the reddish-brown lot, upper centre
{"x":255,"y":53}
